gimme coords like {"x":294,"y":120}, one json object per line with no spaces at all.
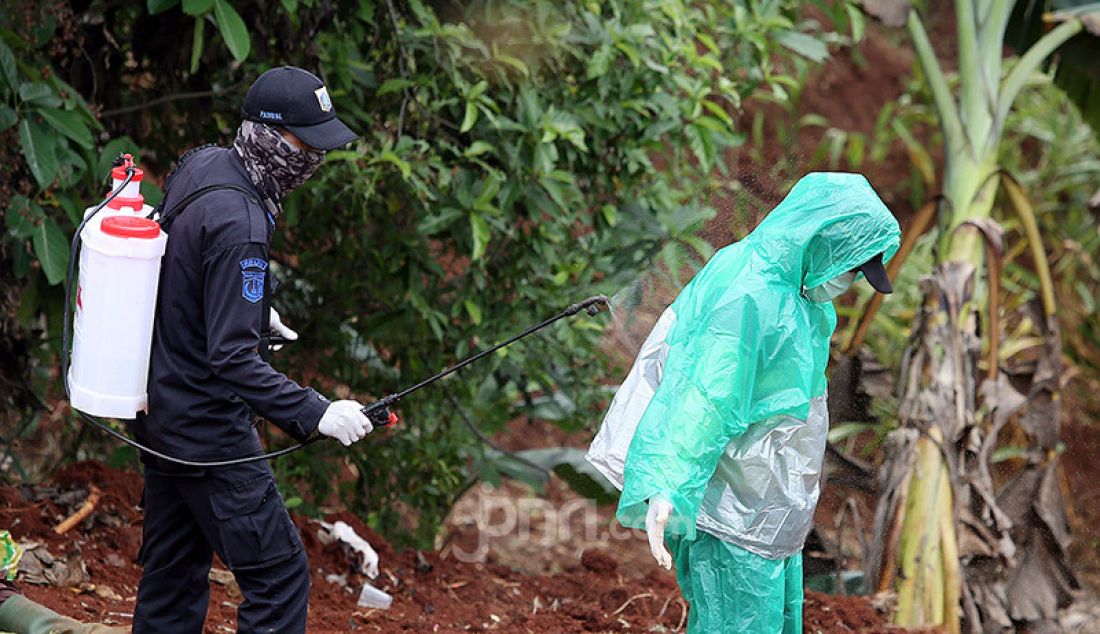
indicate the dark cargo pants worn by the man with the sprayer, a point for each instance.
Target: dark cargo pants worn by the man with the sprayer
{"x":233,"y":511}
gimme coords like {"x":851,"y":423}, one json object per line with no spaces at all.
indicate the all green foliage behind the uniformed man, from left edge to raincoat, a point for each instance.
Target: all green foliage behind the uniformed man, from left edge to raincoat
{"x":516,"y":157}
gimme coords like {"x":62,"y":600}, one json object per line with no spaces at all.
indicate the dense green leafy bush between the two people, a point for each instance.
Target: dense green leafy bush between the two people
{"x":533,"y":154}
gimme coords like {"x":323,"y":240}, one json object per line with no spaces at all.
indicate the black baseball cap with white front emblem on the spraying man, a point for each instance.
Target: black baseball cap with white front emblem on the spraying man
{"x":298,"y":101}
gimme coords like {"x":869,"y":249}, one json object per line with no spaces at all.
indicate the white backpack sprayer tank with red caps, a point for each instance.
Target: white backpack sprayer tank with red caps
{"x":116,"y":298}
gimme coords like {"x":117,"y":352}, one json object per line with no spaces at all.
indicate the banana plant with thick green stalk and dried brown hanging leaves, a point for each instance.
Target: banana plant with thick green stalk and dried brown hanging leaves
{"x":956,"y":553}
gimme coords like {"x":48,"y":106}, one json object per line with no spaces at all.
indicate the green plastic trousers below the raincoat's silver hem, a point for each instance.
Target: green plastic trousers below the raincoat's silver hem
{"x":733,"y":591}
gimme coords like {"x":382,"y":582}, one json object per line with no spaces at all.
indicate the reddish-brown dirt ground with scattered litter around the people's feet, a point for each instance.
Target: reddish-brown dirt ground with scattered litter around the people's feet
{"x":591,"y":592}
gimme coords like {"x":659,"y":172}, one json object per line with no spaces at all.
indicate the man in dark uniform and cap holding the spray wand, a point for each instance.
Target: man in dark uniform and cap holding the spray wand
{"x":207,"y":373}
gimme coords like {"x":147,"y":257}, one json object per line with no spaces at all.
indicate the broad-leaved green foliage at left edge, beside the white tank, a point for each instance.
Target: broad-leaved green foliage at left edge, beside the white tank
{"x":48,"y":145}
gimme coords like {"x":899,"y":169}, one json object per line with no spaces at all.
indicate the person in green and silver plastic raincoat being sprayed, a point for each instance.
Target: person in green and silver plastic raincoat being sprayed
{"x":718,"y":435}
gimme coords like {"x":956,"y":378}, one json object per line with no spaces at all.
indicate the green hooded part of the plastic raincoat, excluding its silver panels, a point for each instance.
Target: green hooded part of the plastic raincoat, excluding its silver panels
{"x":747,"y":345}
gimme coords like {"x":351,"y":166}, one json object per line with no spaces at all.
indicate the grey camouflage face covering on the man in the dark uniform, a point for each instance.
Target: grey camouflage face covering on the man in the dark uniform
{"x":274,"y":165}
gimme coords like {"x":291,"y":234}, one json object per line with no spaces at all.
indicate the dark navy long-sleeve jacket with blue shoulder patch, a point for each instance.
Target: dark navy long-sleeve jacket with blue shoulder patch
{"x":206,"y":371}
